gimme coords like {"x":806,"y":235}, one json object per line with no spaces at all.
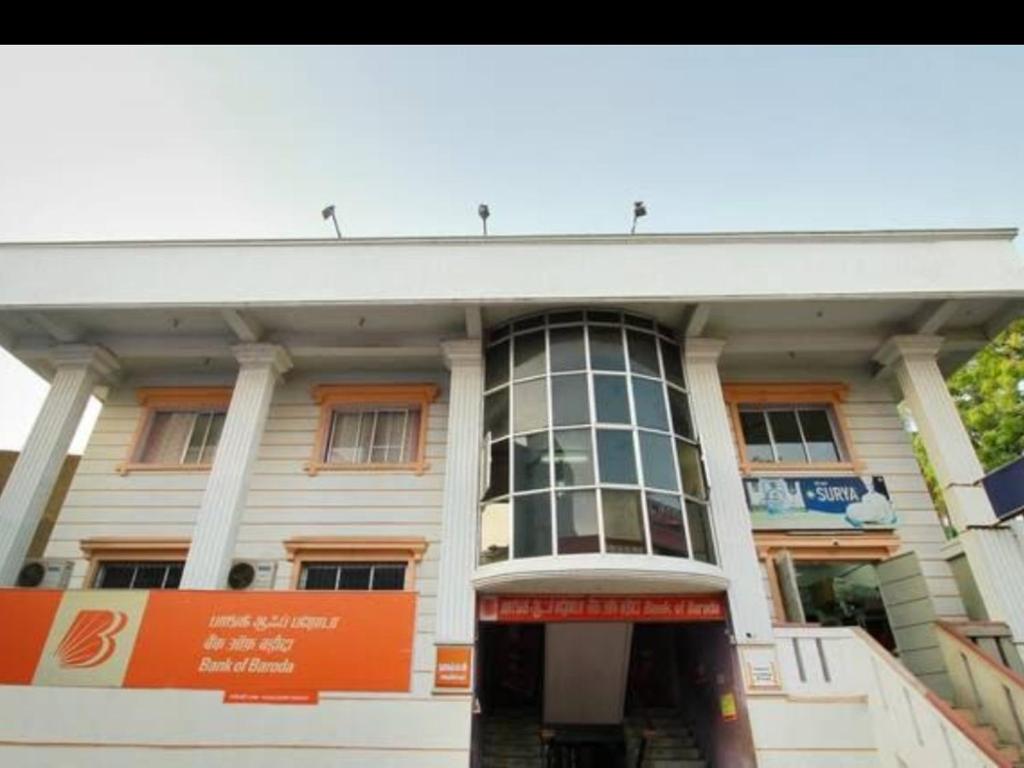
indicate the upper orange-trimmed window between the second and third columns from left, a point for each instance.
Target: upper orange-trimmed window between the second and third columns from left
{"x":372,"y":428}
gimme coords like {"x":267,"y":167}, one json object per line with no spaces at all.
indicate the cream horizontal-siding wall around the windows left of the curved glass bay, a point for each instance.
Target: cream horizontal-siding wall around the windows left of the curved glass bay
{"x":284,"y":501}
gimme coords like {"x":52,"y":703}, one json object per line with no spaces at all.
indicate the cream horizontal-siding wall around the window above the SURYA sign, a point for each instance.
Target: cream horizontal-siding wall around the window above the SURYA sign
{"x":885,"y":449}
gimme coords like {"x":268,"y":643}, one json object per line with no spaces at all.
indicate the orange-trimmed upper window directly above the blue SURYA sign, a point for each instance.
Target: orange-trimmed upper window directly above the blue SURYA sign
{"x":790,"y":428}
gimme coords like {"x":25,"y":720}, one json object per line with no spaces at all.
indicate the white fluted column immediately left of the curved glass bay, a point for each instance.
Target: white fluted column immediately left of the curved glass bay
{"x":456,"y":610}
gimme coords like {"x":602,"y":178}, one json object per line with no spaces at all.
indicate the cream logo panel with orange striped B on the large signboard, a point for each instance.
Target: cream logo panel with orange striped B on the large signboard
{"x":92,"y":639}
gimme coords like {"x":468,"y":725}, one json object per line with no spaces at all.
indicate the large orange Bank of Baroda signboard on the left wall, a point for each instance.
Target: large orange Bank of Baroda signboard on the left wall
{"x":258,"y":646}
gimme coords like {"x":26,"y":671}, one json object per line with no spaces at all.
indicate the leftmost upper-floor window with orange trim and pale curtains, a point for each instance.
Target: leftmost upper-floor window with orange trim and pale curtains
{"x":180,"y":429}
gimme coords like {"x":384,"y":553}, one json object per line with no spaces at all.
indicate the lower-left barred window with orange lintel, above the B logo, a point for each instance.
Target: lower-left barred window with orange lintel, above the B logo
{"x":136,"y":564}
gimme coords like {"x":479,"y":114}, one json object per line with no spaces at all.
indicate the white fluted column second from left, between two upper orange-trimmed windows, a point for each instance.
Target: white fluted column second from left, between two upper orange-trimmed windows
{"x":225,"y":499}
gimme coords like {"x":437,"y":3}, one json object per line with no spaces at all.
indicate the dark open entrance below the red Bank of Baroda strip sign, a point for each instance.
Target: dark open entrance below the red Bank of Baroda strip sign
{"x":611,"y":695}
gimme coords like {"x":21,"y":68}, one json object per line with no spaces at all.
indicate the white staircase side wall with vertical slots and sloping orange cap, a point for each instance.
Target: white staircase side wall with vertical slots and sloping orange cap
{"x":913,"y":726}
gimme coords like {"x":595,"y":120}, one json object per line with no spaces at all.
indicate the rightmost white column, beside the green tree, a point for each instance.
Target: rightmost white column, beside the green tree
{"x":995,"y":554}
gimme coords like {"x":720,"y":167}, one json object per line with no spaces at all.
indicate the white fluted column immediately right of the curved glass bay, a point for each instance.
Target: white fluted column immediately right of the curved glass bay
{"x":730,"y":516}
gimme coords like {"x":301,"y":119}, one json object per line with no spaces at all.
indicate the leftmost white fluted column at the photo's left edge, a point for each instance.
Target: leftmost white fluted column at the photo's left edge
{"x":79,"y":369}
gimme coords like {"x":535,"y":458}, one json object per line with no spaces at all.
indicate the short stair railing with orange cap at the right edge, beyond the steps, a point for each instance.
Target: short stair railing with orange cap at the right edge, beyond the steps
{"x":993,"y":692}
